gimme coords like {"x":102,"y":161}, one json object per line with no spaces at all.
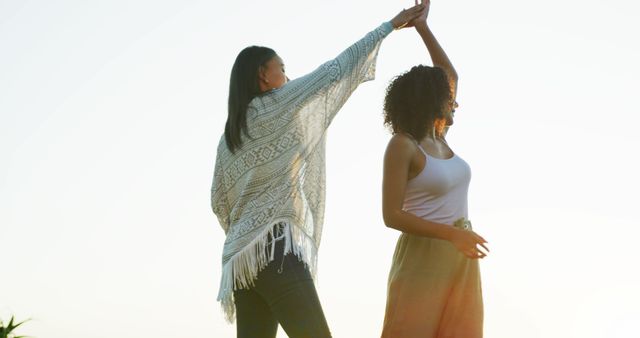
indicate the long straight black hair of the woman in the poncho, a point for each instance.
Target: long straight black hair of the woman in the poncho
{"x":243,"y":87}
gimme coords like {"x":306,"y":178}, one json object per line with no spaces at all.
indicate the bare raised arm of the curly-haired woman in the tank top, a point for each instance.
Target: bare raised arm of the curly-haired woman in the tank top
{"x":438,"y":55}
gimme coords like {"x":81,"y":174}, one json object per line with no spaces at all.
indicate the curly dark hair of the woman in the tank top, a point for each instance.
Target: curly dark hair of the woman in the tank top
{"x":415,"y":100}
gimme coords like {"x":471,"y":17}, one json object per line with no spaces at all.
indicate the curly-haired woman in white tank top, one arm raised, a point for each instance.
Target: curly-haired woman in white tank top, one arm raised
{"x":434,"y":287}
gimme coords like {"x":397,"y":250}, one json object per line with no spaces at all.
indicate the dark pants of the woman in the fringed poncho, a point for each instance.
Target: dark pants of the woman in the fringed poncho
{"x":283,"y":293}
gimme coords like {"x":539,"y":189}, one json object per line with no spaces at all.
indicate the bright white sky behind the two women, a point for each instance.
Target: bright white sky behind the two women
{"x":110,"y":112}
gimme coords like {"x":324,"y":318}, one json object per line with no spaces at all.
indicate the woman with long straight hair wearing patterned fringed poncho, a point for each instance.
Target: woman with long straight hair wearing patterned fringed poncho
{"x":268,"y":189}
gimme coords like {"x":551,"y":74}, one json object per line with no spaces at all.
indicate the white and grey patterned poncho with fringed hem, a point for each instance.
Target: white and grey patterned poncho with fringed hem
{"x":278,"y":176}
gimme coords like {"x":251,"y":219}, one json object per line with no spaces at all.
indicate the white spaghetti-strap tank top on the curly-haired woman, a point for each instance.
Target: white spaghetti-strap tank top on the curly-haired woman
{"x":439,"y":192}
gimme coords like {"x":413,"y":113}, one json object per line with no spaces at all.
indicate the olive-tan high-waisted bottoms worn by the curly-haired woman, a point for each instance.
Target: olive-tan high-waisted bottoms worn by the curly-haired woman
{"x":434,"y":291}
